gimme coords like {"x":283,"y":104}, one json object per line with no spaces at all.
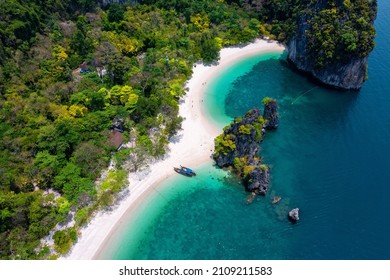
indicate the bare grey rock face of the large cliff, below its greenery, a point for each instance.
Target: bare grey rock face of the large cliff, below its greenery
{"x":348,"y":71}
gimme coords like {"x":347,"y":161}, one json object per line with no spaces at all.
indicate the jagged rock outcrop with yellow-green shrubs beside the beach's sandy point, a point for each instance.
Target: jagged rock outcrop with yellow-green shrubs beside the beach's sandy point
{"x":238,"y":146}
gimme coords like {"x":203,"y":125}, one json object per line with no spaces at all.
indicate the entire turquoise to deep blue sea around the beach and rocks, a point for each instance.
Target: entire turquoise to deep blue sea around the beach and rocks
{"x":330,"y":157}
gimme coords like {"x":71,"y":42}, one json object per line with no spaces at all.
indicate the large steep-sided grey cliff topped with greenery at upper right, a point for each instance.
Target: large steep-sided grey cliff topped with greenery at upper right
{"x":333,"y":40}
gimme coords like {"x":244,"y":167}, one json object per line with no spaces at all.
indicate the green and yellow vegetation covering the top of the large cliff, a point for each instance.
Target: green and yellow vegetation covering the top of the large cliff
{"x":340,"y":30}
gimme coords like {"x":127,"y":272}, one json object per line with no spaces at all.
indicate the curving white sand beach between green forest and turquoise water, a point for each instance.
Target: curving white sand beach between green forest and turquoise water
{"x":192,"y":146}
